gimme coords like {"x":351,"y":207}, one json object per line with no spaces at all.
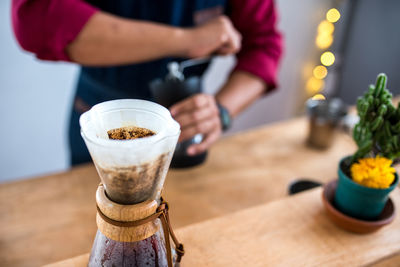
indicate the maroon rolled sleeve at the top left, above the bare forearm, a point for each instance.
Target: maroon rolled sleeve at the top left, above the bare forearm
{"x":46,"y":27}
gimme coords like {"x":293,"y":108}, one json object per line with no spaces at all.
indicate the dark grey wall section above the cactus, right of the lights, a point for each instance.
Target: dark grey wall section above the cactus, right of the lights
{"x":372,"y":47}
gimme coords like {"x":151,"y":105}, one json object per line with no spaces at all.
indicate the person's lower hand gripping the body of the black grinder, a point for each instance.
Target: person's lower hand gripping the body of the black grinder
{"x":198,"y":114}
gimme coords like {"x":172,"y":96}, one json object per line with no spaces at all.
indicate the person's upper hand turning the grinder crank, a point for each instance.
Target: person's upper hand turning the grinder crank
{"x":216,"y":36}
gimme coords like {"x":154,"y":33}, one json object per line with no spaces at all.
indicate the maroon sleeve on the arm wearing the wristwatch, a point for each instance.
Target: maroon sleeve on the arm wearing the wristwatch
{"x":261,"y":43}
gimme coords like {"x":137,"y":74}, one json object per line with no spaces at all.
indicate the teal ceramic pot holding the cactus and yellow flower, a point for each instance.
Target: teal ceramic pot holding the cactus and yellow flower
{"x":357,"y":200}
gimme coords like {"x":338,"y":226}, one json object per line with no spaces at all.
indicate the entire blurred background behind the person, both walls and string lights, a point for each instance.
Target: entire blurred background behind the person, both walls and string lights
{"x":335,"y":48}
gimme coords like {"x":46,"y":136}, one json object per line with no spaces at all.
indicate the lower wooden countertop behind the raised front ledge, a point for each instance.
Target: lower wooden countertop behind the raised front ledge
{"x":53,"y":218}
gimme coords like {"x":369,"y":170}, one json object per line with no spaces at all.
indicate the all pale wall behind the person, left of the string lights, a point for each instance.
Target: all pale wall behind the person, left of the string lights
{"x":35,"y":96}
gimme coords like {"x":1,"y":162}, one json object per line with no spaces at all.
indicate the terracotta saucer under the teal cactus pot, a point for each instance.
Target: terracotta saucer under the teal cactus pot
{"x":349,"y":223}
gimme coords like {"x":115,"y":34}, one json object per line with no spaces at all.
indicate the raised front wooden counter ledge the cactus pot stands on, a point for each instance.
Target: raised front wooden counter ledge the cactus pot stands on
{"x":291,"y":231}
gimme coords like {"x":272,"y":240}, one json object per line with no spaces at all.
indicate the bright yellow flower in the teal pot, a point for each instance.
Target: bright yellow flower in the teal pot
{"x":373,"y":172}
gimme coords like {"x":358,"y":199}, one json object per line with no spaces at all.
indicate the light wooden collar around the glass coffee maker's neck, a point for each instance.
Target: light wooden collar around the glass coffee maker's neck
{"x":125,"y":213}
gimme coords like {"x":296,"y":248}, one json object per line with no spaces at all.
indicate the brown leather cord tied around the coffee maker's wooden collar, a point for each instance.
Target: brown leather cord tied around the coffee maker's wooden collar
{"x":162,"y":213}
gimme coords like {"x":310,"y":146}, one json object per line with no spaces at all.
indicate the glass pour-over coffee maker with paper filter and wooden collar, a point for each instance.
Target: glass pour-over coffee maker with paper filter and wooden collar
{"x":132,"y":218}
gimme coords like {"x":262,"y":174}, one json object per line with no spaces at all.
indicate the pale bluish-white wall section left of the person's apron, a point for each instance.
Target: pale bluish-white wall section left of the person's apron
{"x":34,"y":100}
